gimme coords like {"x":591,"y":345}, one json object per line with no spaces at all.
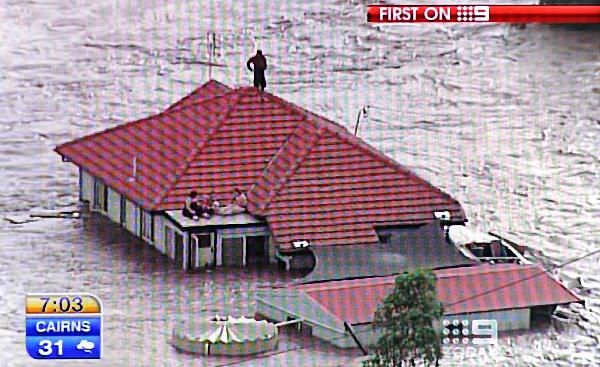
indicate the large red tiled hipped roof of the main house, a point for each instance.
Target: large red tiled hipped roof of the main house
{"x":308,"y":176}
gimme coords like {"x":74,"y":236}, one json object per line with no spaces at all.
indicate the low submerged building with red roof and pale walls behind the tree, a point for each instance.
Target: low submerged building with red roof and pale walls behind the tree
{"x":339,"y":311}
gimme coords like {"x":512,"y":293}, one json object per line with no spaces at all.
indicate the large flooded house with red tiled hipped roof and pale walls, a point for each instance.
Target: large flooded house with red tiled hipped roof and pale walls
{"x":309,"y":182}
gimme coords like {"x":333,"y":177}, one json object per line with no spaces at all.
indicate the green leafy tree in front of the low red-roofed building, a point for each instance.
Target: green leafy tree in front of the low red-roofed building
{"x":406,"y":318}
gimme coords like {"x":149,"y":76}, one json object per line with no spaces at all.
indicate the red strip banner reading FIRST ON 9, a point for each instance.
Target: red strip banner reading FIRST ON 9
{"x":568,"y":14}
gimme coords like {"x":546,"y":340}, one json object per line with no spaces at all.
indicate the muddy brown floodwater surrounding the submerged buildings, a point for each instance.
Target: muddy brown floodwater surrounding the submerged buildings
{"x":505,"y":119}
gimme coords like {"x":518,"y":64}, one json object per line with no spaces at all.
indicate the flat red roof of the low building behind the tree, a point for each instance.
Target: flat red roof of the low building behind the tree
{"x":461,"y":290}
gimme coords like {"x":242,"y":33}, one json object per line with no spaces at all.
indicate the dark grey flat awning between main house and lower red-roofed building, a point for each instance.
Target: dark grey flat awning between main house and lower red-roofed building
{"x":407,"y":249}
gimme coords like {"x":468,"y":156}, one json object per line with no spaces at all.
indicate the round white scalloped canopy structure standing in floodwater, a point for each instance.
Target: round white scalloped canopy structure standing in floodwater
{"x":226,"y":336}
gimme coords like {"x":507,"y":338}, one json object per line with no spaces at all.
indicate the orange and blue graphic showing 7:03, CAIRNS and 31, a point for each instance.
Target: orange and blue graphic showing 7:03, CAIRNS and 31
{"x":63,"y":326}
